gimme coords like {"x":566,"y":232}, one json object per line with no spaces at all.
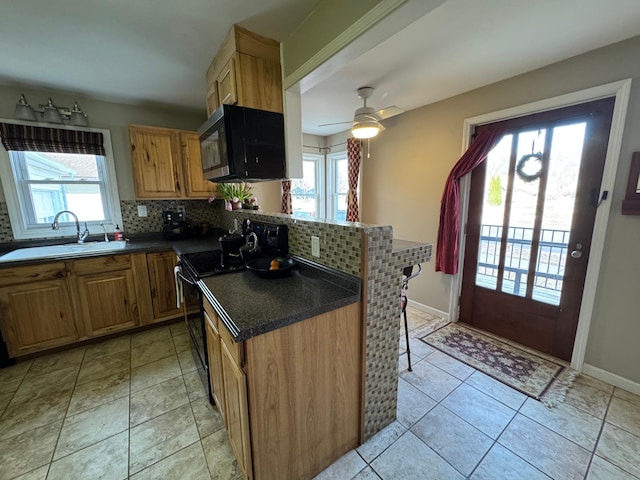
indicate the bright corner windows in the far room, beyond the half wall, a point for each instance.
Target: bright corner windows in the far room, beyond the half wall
{"x":322,"y":191}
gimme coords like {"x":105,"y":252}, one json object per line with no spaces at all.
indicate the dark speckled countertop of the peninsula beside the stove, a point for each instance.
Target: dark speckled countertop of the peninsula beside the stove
{"x":250,"y":305}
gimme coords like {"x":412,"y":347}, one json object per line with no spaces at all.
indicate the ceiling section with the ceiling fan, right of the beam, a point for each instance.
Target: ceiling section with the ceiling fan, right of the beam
{"x":465,"y":44}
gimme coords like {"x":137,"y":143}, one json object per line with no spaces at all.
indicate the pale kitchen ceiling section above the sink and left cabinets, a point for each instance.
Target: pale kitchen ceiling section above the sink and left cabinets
{"x":134,"y":51}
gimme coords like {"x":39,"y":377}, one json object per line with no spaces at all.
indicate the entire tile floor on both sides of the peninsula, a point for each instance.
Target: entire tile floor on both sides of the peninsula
{"x":134,"y":408}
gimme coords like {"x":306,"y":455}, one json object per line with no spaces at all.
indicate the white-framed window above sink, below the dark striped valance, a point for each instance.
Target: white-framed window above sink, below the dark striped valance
{"x":39,"y":184}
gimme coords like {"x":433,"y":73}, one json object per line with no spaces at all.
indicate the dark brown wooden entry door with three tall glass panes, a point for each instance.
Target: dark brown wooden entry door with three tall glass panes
{"x":531,"y":213}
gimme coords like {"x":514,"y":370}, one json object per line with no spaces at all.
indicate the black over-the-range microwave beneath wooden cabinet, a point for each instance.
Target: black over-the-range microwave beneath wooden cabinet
{"x":243,"y":144}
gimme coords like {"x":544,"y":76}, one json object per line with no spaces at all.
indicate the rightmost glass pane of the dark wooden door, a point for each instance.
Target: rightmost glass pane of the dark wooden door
{"x":564,"y":166}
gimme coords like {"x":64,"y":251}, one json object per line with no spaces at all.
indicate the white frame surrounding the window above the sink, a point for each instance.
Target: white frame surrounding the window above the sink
{"x":18,"y":213}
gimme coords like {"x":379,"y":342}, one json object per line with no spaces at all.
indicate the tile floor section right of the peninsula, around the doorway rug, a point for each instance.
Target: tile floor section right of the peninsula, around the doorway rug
{"x":454,"y":422}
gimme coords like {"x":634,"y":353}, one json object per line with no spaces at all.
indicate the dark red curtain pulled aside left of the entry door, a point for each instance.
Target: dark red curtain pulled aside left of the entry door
{"x":449,"y":227}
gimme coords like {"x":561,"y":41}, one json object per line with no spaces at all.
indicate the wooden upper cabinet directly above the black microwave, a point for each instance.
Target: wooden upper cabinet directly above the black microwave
{"x":246,"y":71}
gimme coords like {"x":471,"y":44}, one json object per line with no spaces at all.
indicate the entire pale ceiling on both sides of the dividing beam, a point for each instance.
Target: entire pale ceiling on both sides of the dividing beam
{"x":157,"y":51}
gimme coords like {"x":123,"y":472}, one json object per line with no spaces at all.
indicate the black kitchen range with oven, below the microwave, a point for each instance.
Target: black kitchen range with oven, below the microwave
{"x":272,"y":240}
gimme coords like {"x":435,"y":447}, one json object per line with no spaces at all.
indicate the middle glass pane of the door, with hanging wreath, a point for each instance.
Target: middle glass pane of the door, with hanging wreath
{"x":526,"y":182}
